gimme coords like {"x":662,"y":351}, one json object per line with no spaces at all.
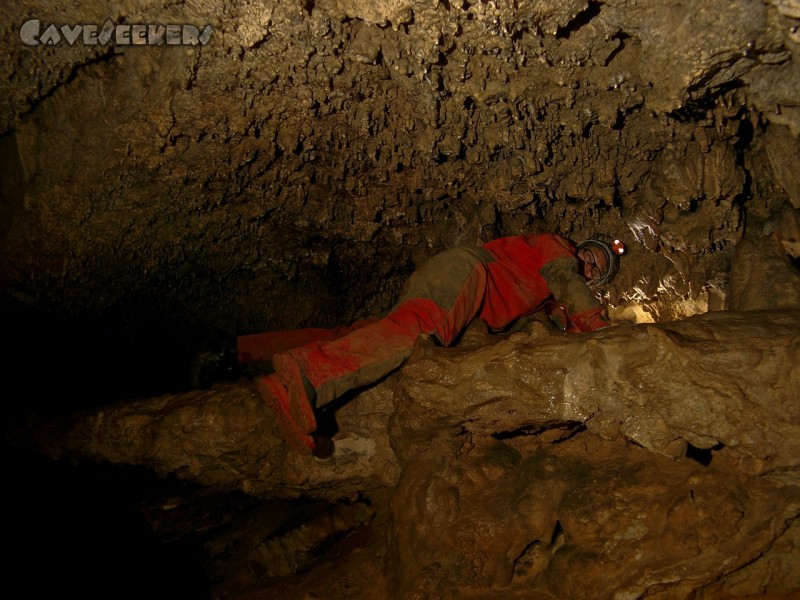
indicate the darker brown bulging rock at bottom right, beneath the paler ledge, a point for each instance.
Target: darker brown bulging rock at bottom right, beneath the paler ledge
{"x":580,"y":519}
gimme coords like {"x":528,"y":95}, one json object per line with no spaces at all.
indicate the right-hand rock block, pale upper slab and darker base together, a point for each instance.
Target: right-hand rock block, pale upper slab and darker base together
{"x":529,"y":516}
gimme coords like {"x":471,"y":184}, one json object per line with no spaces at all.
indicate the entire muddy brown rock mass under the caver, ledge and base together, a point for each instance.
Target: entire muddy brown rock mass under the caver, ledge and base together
{"x":651,"y":460}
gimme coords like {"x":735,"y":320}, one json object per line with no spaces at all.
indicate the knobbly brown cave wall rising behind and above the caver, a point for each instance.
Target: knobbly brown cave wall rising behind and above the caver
{"x":310,"y":149}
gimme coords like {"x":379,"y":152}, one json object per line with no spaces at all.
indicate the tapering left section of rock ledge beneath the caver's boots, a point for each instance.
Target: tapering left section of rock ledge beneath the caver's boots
{"x":224,"y":438}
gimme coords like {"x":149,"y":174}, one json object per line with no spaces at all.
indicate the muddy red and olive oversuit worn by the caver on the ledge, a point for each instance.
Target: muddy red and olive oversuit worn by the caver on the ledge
{"x":498,"y":282}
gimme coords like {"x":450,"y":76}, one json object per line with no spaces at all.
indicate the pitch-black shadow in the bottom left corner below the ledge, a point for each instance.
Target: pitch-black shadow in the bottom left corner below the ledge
{"x":77,"y":529}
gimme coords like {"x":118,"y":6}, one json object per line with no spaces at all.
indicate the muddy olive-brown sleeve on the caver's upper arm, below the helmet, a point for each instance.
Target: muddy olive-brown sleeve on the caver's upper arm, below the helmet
{"x":573,"y":296}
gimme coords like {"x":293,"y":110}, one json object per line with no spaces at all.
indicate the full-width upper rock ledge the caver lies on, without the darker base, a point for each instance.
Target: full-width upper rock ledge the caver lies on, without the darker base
{"x":723,"y":380}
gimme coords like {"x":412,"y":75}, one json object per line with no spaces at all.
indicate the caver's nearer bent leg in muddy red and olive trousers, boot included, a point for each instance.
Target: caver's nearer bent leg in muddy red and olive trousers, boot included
{"x":440,"y":299}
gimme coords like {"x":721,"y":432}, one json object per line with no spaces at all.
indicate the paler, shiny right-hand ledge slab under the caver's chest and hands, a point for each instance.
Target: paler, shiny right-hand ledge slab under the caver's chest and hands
{"x":722,"y":379}
